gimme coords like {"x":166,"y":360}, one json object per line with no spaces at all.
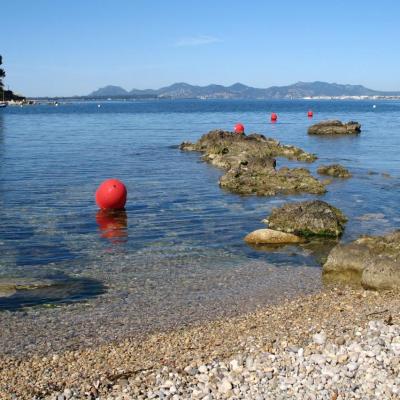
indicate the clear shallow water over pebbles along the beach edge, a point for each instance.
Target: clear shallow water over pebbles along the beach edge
{"x":139,"y":302}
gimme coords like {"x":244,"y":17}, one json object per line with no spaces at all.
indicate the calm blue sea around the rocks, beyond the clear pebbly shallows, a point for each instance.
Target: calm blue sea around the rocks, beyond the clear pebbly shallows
{"x":53,"y":158}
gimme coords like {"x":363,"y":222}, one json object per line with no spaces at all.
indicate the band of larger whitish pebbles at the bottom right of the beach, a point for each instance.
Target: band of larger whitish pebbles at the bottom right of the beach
{"x":363,"y":364}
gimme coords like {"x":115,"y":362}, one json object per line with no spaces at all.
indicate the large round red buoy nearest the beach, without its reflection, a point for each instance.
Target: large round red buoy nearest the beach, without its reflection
{"x":111,"y":195}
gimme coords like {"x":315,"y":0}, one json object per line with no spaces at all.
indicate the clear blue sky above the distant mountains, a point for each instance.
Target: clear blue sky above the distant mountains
{"x":72,"y":47}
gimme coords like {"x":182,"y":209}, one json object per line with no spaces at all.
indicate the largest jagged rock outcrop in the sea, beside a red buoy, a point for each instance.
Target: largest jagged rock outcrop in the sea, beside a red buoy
{"x":251,"y":166}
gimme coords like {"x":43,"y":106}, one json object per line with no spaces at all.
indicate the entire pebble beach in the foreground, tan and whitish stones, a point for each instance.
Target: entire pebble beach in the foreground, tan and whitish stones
{"x":284,"y":351}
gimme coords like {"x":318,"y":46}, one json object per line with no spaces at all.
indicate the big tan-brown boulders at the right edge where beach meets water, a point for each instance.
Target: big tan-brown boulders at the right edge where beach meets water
{"x":372,"y":260}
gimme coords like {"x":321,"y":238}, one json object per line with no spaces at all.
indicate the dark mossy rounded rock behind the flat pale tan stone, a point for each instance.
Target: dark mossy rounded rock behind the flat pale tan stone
{"x":308,"y":218}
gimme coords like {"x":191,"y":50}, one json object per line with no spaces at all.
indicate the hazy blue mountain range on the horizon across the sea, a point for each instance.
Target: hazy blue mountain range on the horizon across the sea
{"x":240,"y":91}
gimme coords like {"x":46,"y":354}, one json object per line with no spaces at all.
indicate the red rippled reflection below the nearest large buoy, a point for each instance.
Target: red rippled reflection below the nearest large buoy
{"x":113,"y":225}
